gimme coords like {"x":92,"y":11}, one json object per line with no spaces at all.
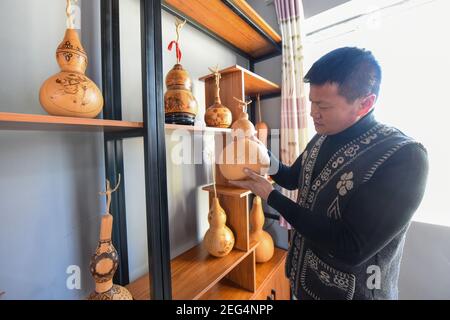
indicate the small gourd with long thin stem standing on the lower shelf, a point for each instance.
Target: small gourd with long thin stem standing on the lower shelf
{"x":219,"y":239}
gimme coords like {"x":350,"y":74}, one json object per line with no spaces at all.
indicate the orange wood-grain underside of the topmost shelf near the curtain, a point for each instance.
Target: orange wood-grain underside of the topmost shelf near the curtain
{"x":215,"y":16}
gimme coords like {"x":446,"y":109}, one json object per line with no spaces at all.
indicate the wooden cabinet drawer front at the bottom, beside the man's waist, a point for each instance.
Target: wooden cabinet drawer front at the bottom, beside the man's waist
{"x":275,"y":288}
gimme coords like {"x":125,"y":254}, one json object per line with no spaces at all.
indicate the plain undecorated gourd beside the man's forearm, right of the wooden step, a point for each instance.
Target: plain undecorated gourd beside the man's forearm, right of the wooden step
{"x":264,"y":250}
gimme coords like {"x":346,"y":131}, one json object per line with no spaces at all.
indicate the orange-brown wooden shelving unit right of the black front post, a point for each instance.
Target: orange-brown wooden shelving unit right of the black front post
{"x":195,"y":274}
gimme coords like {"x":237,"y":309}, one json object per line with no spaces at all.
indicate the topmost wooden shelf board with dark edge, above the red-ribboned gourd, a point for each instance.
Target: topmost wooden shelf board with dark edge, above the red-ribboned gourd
{"x":221,"y":21}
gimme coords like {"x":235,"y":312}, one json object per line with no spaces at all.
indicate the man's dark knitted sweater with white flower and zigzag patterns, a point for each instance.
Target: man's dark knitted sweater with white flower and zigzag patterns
{"x":358,"y":191}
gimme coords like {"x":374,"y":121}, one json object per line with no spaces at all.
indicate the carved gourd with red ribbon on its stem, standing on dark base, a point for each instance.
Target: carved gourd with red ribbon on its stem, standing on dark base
{"x":180,"y":106}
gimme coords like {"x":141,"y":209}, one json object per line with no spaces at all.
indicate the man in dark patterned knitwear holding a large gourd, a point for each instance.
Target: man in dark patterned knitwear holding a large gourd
{"x":359,"y":184}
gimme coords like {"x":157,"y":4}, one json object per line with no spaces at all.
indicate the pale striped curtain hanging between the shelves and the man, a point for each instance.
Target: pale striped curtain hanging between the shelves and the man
{"x":294,"y":136}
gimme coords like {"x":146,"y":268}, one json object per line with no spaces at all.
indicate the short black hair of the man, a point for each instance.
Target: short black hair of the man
{"x":355,"y":71}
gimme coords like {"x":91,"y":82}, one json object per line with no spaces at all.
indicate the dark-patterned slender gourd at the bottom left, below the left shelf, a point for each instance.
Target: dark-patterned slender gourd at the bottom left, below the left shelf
{"x":105,"y":261}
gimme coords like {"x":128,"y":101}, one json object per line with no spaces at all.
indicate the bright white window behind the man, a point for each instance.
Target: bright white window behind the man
{"x":409,"y":39}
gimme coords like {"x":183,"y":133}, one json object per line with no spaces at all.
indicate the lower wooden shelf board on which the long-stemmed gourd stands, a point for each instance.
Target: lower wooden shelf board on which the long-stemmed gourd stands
{"x":193,"y":273}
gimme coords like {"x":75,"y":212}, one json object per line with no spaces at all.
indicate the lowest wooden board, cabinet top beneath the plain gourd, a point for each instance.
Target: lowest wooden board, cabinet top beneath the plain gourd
{"x":227,"y":290}
